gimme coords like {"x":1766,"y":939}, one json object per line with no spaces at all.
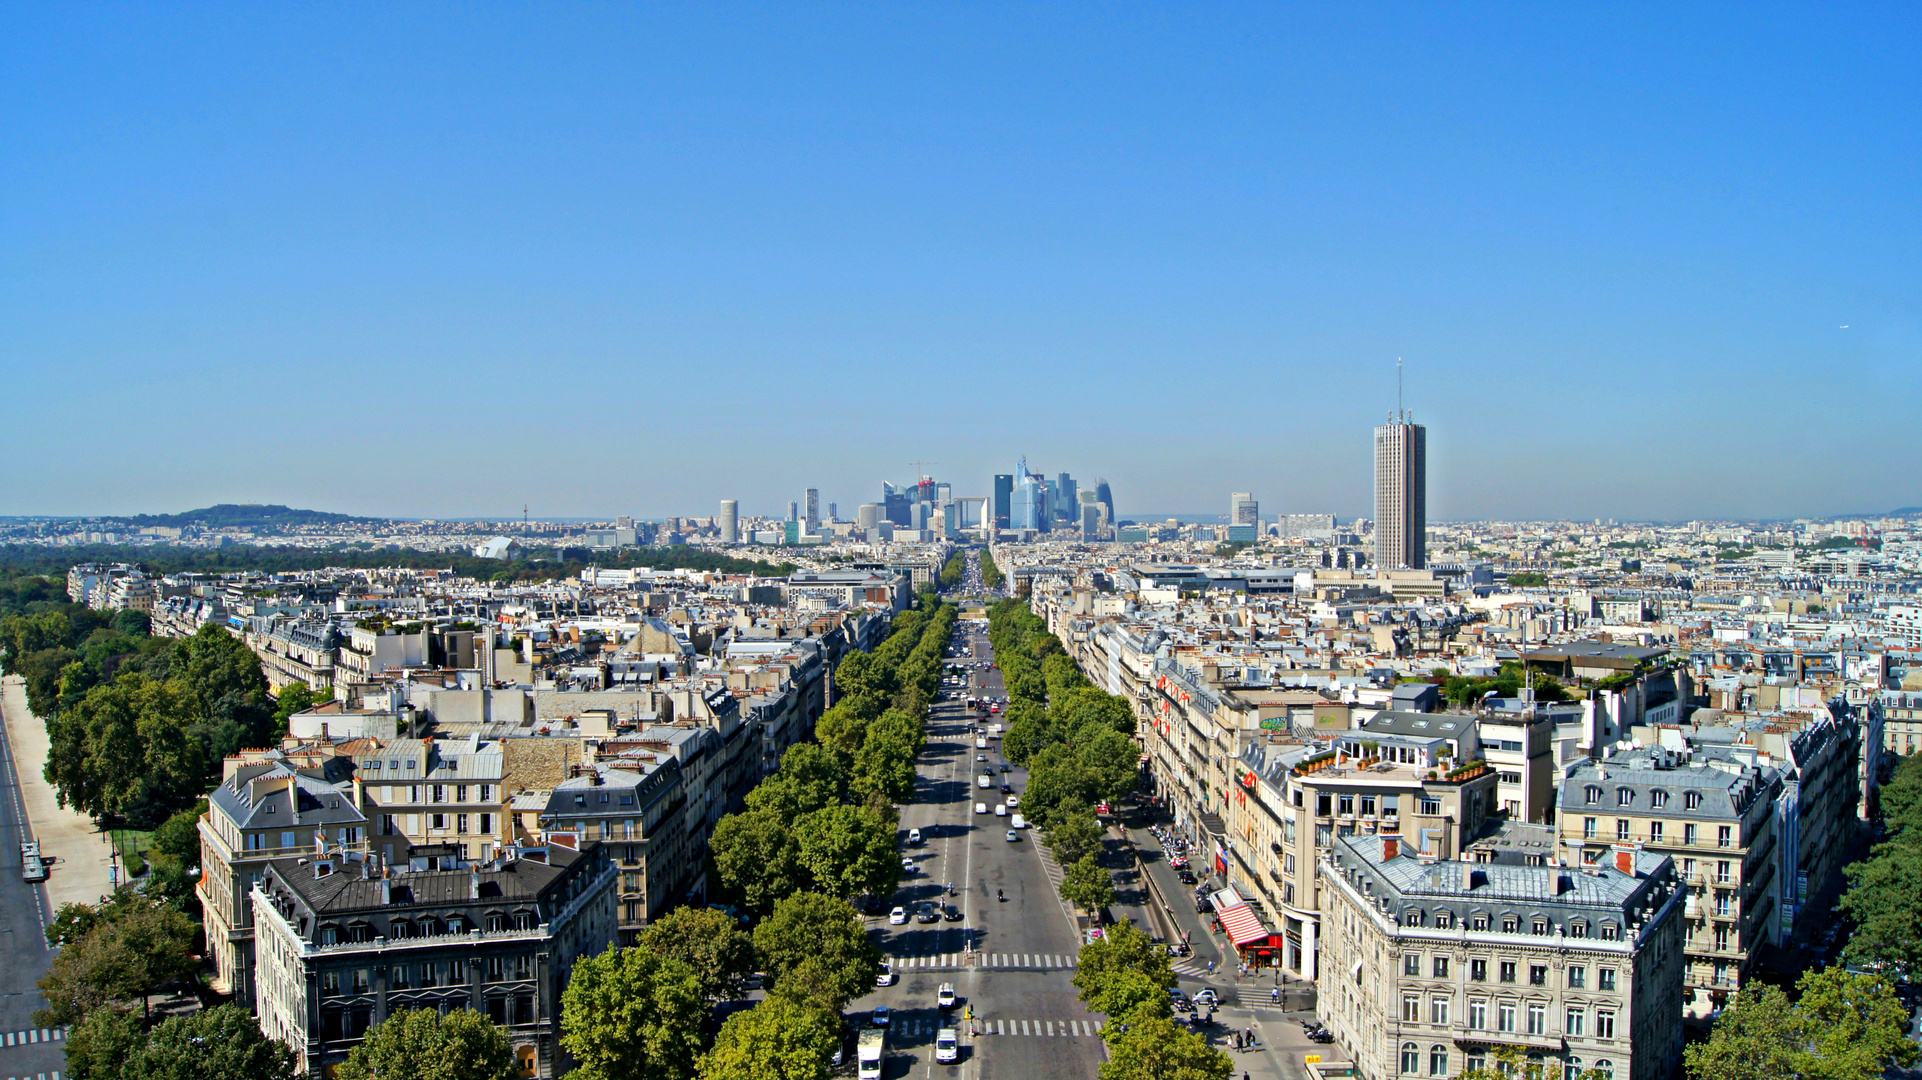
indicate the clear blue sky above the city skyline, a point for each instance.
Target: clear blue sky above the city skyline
{"x":1642,"y":260}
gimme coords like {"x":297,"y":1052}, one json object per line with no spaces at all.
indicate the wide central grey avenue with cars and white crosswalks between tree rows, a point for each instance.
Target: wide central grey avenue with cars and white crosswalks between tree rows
{"x":1010,"y":960}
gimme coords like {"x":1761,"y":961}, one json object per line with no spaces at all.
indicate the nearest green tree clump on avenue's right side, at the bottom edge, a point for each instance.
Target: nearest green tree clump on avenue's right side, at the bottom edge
{"x":1127,"y":979}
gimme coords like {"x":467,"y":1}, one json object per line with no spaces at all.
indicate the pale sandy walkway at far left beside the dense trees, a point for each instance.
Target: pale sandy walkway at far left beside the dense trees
{"x":82,"y":852}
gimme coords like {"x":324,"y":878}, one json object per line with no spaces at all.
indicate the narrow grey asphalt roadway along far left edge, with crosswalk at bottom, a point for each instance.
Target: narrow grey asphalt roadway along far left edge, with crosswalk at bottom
{"x":22,"y":939}
